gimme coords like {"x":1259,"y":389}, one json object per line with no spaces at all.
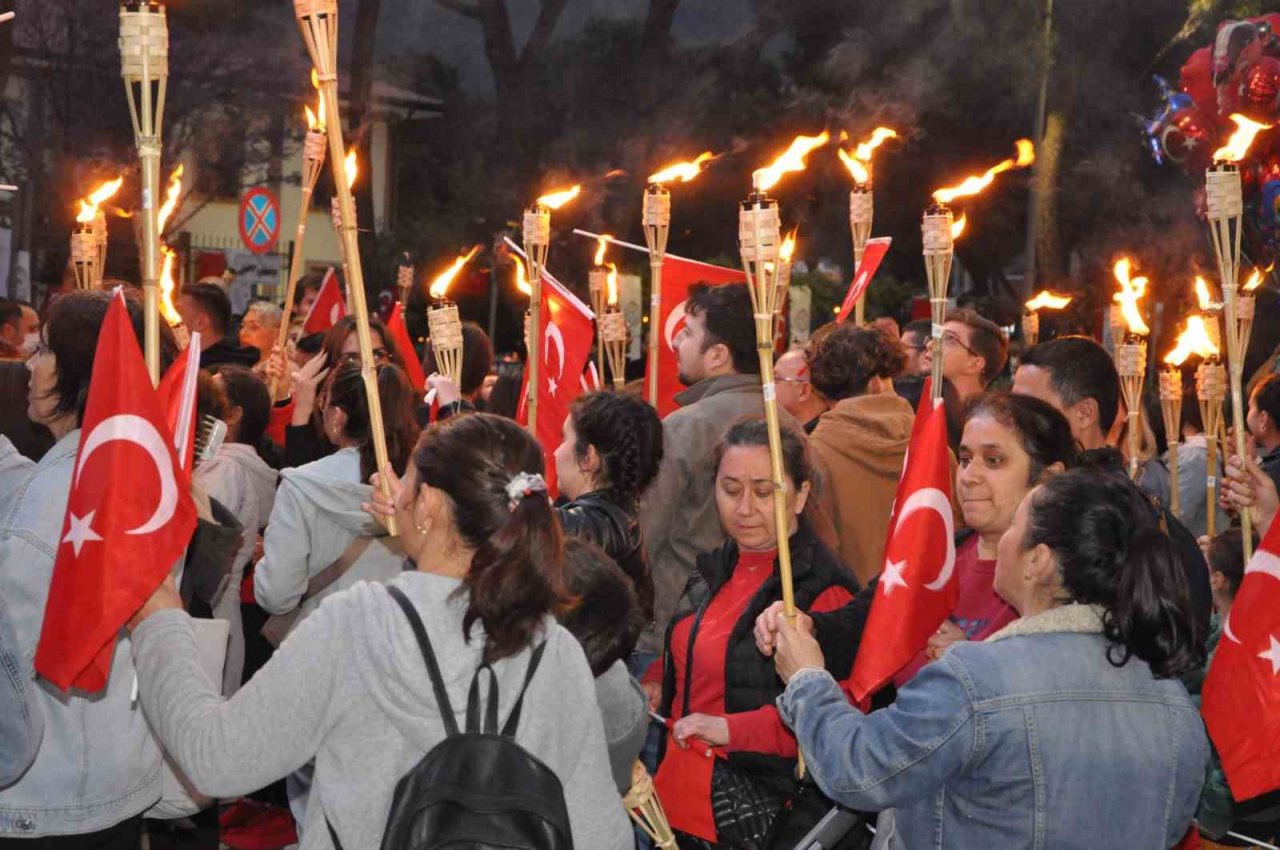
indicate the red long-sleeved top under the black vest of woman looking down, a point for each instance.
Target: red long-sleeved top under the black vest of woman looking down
{"x":756,"y":732}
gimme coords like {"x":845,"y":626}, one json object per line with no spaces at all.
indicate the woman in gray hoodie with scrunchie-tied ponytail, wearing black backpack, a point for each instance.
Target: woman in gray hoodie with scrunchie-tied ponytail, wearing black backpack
{"x":350,"y":688}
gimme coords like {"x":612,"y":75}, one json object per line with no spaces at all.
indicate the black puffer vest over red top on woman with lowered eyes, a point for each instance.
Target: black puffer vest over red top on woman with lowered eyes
{"x":751,"y":679}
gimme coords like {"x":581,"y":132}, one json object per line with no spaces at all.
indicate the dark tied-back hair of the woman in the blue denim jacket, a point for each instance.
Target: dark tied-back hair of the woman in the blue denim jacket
{"x":1112,"y":552}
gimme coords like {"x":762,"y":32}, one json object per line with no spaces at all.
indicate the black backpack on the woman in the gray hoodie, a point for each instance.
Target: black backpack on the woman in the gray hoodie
{"x":477,"y":790}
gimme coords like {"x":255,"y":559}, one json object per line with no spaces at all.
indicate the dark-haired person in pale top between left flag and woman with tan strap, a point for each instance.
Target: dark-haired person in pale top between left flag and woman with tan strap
{"x":243,"y":482}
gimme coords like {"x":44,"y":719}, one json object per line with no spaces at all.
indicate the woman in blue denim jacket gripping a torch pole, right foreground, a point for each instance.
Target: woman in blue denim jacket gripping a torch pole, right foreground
{"x":1067,"y":729}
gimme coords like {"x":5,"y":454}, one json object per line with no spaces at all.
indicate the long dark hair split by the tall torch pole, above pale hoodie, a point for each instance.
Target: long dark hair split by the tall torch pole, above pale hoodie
{"x":396,"y":395}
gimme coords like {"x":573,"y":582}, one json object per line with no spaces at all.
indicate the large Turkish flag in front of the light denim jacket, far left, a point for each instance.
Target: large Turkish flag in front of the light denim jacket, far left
{"x":129,"y":517}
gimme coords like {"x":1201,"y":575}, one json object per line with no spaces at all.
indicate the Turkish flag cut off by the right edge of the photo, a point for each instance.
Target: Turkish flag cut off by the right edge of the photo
{"x":1242,"y":693}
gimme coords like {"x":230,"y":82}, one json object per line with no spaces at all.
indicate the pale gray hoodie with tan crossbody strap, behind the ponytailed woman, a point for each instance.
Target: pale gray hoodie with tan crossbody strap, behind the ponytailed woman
{"x":316,"y":519}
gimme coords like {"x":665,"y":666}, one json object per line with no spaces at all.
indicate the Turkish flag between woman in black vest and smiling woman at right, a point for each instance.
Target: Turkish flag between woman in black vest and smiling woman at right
{"x":918,"y":587}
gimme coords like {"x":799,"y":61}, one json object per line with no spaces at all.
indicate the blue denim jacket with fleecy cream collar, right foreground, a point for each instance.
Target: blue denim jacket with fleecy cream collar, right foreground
{"x":1032,"y":739}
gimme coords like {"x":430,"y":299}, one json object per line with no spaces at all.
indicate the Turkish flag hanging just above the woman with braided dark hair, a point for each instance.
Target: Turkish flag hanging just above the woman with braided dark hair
{"x":568,"y":333}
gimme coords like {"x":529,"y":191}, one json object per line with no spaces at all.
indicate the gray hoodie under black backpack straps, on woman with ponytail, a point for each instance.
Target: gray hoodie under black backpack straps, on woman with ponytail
{"x":350,"y":689}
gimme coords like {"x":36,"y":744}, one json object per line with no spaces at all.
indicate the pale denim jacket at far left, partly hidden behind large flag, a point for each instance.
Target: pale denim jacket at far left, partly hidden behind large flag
{"x":98,"y":764}
